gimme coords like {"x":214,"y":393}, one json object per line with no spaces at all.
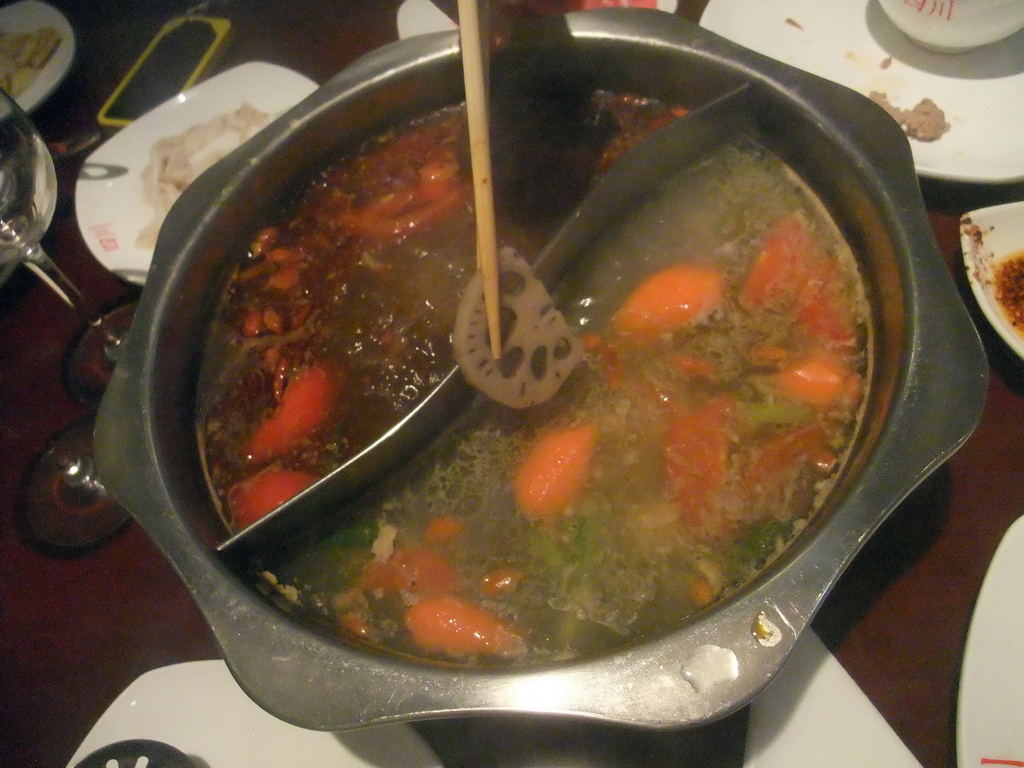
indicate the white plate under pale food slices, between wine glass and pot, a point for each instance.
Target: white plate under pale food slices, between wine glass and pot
{"x":109,"y":199}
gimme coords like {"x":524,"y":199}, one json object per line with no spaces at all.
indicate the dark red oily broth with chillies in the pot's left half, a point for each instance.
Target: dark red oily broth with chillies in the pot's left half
{"x":338,"y":321}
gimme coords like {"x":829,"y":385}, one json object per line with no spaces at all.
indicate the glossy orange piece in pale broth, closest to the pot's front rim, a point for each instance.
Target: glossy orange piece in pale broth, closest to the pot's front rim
{"x":448,"y":625}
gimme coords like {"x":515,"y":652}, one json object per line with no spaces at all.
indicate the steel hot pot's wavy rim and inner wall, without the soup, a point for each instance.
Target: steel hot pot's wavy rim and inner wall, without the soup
{"x":926,"y":393}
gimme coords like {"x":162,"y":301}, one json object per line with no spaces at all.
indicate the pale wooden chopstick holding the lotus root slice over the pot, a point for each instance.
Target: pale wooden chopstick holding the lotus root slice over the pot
{"x":476,"y":50}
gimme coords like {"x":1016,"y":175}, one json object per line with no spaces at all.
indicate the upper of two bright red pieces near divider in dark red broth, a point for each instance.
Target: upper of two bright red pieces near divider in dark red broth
{"x":305,"y":406}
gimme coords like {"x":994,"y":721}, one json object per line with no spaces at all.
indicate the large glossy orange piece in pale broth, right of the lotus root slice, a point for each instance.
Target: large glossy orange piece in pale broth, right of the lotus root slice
{"x":670,"y":301}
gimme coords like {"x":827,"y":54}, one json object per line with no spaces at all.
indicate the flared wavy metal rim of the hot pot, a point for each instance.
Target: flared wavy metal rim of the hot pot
{"x":307,"y":679}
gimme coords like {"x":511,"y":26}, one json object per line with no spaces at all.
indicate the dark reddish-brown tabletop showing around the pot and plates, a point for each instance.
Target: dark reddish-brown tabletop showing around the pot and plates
{"x":76,"y":631}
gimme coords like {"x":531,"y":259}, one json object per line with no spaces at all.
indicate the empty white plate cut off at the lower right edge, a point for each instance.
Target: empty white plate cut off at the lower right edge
{"x":991,"y":710}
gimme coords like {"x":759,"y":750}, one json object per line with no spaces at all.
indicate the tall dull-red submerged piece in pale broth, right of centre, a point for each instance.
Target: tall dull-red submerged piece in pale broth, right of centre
{"x":697,"y":452}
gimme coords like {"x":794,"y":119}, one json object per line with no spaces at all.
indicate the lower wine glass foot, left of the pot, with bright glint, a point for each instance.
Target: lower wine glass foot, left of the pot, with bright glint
{"x":64,"y":506}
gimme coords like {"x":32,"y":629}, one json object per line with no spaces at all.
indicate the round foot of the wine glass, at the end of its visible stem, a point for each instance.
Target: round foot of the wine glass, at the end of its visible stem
{"x":90,"y":362}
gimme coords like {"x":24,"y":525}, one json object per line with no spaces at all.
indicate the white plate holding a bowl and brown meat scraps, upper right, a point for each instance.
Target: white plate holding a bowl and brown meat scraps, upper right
{"x":854,"y":44}
